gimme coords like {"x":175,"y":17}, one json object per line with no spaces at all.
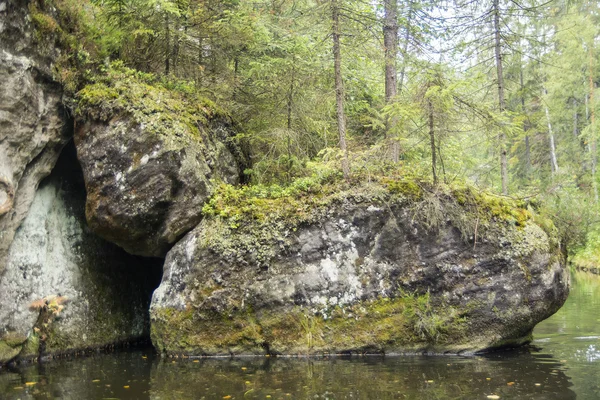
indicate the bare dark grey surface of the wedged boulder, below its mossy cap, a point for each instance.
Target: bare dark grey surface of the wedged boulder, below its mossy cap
{"x":146,"y":190}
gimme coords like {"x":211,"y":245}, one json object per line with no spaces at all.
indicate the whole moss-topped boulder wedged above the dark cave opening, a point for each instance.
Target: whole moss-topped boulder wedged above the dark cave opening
{"x":150,"y":159}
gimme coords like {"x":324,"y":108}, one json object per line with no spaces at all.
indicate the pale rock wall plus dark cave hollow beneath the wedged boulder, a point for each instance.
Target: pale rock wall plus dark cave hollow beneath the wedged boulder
{"x":64,"y":288}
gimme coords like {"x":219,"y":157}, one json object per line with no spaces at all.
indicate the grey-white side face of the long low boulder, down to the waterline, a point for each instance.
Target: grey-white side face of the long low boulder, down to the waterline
{"x":361,"y":276}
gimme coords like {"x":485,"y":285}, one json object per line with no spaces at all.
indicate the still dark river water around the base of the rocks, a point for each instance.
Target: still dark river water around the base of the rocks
{"x":562,"y":363}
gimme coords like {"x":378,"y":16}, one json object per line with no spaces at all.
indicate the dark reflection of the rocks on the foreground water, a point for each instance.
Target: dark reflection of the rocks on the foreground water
{"x":130,"y":376}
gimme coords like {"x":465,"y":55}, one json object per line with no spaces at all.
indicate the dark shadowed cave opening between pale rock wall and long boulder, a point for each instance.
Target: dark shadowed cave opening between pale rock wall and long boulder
{"x":114,"y":288}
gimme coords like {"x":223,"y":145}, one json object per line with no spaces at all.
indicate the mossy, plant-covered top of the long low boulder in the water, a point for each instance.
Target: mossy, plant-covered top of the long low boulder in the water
{"x":263,"y":213}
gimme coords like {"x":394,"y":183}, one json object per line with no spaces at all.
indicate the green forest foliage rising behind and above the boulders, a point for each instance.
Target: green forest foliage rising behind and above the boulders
{"x":269,"y":66}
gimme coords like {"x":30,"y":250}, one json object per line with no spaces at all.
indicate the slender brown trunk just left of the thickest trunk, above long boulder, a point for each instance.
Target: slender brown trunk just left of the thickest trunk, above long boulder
{"x":339,"y":85}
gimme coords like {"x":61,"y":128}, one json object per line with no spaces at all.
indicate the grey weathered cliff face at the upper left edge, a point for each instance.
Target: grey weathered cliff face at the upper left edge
{"x":33,"y":123}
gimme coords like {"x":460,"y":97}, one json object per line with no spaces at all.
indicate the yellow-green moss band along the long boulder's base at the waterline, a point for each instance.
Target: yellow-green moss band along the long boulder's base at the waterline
{"x":406,"y":322}
